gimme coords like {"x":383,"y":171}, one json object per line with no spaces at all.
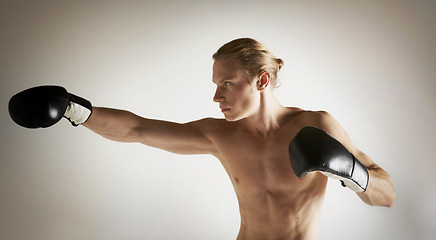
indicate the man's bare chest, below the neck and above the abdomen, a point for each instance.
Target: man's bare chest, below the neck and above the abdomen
{"x":257,"y":163}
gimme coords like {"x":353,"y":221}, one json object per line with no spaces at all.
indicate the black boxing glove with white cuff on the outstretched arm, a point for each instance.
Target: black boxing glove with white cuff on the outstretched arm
{"x":43,"y":106}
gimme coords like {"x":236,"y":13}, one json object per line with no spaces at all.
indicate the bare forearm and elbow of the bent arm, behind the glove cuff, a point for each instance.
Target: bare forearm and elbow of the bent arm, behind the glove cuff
{"x":380,"y":191}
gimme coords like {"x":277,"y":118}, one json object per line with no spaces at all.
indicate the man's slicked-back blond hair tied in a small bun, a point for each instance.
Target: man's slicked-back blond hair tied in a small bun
{"x":253,"y":57}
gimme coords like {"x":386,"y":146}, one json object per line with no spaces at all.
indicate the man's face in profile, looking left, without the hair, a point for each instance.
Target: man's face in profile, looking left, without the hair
{"x":237,"y":97}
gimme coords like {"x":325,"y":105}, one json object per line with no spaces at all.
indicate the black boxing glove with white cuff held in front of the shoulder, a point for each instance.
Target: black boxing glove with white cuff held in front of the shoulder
{"x":312,"y":149}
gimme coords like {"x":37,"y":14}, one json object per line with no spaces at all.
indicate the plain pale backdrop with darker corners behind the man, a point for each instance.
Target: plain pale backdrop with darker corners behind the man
{"x":371,"y":64}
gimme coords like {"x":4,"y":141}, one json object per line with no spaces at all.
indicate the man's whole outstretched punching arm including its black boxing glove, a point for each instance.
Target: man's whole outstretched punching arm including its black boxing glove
{"x":44,"y":106}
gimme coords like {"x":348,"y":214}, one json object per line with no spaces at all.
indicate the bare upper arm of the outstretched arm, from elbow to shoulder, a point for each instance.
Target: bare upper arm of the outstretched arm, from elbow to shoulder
{"x":186,"y":138}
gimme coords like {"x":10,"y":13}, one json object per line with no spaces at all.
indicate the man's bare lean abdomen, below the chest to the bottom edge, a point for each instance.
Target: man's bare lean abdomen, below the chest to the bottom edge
{"x":287,"y":212}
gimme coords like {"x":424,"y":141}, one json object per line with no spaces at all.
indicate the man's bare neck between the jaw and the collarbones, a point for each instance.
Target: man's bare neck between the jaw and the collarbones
{"x":268,"y":117}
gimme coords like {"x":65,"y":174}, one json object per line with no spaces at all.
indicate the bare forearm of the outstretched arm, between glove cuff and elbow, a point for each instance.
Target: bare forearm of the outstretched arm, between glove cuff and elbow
{"x":113,"y":124}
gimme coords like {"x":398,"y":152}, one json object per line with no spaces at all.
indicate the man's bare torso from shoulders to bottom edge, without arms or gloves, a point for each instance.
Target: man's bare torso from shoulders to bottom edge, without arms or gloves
{"x":273,"y":202}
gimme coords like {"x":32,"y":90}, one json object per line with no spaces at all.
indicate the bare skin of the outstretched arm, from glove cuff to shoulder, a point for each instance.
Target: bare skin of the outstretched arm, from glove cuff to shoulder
{"x":124,"y":126}
